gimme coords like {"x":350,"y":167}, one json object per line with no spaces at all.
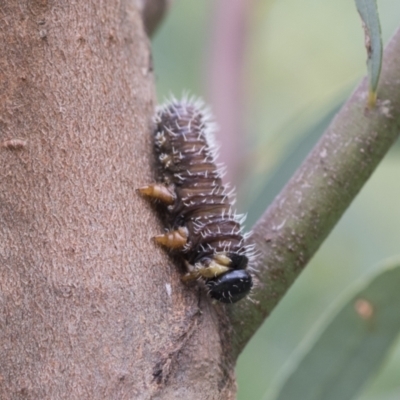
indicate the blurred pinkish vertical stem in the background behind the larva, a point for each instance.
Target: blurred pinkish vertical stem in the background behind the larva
{"x":225,"y":82}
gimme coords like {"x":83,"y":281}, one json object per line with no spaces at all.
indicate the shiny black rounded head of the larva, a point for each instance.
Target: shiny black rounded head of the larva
{"x":231,"y":286}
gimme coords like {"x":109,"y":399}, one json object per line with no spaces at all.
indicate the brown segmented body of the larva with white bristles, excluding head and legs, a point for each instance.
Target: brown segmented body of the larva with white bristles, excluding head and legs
{"x":186,"y":161}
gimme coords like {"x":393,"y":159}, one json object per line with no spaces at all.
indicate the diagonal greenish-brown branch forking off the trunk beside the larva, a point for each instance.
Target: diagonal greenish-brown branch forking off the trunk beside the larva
{"x":307,"y":209}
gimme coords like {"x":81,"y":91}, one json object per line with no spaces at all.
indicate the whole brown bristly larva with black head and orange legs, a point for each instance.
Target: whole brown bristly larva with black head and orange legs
{"x":199,"y":208}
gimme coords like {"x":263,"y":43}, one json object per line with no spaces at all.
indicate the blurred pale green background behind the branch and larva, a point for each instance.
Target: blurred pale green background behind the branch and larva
{"x":300,"y":62}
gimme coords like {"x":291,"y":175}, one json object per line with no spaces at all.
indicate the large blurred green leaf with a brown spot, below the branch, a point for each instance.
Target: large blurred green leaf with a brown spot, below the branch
{"x":336,"y":362}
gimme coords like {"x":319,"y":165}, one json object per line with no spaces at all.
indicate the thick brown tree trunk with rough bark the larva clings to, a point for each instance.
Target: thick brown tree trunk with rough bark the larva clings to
{"x":90,"y":308}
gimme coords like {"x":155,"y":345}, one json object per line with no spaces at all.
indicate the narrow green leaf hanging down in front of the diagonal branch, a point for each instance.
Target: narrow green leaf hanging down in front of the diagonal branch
{"x":368,"y":11}
